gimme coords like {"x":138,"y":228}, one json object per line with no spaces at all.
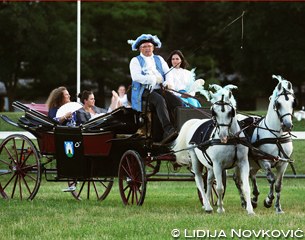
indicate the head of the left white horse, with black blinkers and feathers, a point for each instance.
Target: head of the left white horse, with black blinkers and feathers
{"x":223,"y":110}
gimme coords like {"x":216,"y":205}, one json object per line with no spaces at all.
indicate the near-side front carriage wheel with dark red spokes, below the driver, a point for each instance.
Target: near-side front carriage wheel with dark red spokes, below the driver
{"x":132,"y":180}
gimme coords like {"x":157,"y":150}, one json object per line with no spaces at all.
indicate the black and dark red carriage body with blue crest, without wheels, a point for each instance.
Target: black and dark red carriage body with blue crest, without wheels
{"x":91,"y":150}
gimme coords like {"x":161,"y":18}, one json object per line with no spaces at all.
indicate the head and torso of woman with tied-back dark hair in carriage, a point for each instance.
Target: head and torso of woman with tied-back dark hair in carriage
{"x":89,"y":110}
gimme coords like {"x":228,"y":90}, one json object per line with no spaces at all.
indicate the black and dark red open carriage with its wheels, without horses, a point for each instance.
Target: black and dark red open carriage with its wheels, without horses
{"x":87,"y":157}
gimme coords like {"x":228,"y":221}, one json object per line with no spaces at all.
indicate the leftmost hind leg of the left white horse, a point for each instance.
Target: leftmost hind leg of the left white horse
{"x":197,"y":168}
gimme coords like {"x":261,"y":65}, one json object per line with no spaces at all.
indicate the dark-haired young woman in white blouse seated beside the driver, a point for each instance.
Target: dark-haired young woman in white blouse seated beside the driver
{"x":180,"y":79}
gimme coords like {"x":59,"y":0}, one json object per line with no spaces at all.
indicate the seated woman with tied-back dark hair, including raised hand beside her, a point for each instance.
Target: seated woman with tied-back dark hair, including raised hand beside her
{"x":89,"y":110}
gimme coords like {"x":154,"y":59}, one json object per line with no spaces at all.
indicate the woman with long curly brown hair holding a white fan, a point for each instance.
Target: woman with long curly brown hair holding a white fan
{"x":58,"y":97}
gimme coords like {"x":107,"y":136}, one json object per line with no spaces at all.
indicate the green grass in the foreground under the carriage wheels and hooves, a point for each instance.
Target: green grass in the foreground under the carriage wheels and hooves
{"x":168,"y":205}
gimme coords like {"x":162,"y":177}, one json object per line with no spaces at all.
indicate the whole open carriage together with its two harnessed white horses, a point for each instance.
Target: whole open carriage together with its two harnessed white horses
{"x":90,"y":156}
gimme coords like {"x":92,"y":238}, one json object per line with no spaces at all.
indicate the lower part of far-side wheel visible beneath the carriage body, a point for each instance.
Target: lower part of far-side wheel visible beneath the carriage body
{"x":95,"y":187}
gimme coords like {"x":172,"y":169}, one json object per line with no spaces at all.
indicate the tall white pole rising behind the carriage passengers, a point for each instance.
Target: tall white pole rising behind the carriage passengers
{"x":78,"y":47}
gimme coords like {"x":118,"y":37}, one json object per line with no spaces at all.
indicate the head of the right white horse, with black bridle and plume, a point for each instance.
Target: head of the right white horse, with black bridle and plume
{"x":283,"y":102}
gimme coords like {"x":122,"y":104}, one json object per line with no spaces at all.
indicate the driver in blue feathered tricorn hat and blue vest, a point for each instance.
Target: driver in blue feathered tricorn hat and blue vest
{"x":148,"y":72}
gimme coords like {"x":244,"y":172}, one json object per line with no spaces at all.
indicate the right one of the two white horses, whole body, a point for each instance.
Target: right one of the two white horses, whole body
{"x":272,"y":136}
